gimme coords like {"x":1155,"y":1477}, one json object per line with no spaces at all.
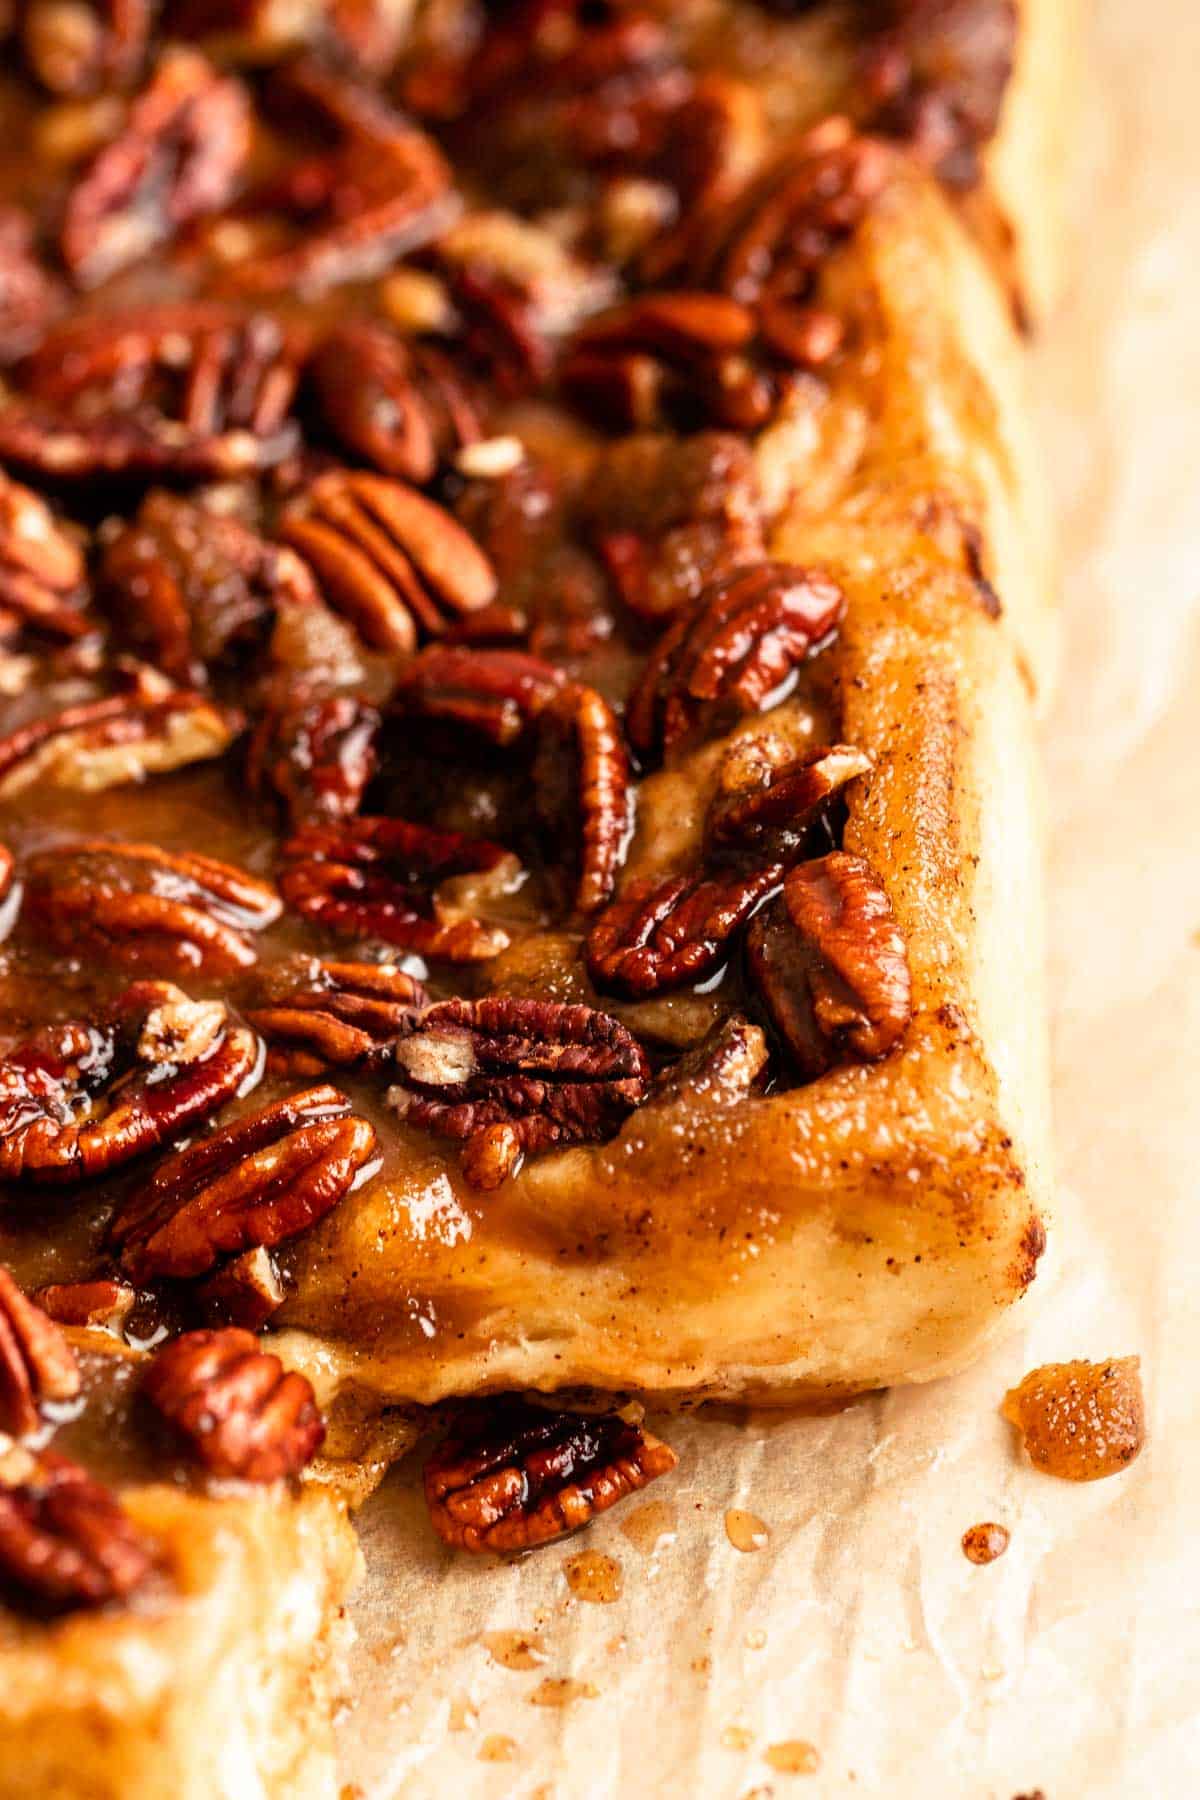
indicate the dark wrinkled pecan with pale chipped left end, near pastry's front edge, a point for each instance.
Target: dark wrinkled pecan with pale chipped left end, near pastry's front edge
{"x":512,"y":1077}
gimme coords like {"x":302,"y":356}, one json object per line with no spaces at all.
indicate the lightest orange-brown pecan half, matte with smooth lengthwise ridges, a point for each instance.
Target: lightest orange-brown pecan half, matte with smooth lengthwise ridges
{"x":397,"y":564}
